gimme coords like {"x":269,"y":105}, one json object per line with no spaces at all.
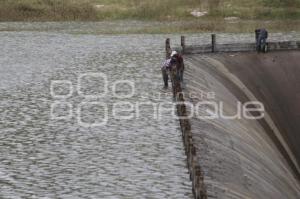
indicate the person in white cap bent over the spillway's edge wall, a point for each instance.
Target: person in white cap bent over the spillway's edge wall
{"x":174,"y":62}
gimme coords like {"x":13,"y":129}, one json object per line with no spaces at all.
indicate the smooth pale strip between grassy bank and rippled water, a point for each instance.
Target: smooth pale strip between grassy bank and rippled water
{"x":154,"y":27}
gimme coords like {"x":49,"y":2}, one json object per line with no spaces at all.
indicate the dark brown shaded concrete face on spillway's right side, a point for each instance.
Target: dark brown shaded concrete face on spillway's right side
{"x":274,"y":80}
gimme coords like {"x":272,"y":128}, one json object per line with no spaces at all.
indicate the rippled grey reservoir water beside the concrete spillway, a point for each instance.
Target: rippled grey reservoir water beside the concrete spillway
{"x":44,"y":156}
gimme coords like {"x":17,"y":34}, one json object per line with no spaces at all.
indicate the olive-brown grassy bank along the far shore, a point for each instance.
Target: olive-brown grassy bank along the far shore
{"x":166,"y":10}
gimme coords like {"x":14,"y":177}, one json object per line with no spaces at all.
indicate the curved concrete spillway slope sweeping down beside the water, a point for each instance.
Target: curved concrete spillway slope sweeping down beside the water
{"x":244,"y":158}
